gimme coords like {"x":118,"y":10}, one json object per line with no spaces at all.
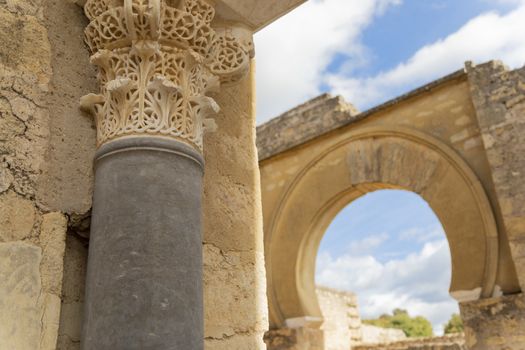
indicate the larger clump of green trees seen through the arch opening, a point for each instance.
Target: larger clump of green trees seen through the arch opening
{"x":400,"y":319}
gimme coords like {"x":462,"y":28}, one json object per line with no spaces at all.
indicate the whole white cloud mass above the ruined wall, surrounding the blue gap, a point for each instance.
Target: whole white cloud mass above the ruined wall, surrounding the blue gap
{"x":293,"y":54}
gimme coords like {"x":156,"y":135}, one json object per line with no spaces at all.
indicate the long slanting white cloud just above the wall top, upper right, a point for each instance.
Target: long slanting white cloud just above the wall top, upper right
{"x":488,"y":36}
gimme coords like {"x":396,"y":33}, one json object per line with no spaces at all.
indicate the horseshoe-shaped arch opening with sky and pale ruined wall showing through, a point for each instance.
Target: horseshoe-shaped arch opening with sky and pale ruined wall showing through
{"x":384,"y":251}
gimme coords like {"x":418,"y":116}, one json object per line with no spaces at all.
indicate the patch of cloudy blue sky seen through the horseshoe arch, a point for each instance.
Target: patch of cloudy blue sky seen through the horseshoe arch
{"x":389,"y":247}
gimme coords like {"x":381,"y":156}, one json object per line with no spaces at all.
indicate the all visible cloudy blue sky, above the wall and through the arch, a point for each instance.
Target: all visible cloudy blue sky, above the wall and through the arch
{"x":388,"y":246}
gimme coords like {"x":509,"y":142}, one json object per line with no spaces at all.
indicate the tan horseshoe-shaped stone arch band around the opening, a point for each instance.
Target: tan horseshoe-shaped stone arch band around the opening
{"x":366,"y":160}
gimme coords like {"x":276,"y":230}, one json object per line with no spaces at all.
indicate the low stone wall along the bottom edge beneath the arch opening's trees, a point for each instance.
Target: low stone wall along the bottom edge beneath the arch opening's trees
{"x":447,"y":342}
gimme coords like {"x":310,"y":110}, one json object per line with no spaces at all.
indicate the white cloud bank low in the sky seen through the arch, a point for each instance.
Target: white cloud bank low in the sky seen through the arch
{"x":418,"y":283}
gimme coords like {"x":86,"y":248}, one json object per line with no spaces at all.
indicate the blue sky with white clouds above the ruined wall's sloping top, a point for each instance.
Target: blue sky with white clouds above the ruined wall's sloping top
{"x":370,"y":51}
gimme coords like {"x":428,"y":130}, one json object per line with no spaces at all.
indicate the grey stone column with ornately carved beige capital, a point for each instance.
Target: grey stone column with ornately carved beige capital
{"x":158,"y":60}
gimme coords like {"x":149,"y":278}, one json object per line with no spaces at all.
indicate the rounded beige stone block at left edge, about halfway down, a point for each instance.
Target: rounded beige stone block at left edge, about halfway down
{"x":17,"y":217}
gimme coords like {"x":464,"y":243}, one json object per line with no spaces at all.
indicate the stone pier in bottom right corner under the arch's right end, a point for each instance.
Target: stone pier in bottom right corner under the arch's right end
{"x":495,"y":323}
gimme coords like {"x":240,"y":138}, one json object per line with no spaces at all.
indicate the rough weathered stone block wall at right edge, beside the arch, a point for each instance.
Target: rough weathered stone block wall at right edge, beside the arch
{"x":499,"y":97}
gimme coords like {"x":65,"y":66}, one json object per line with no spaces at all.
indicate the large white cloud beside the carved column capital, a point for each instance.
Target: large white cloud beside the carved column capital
{"x":294,"y":52}
